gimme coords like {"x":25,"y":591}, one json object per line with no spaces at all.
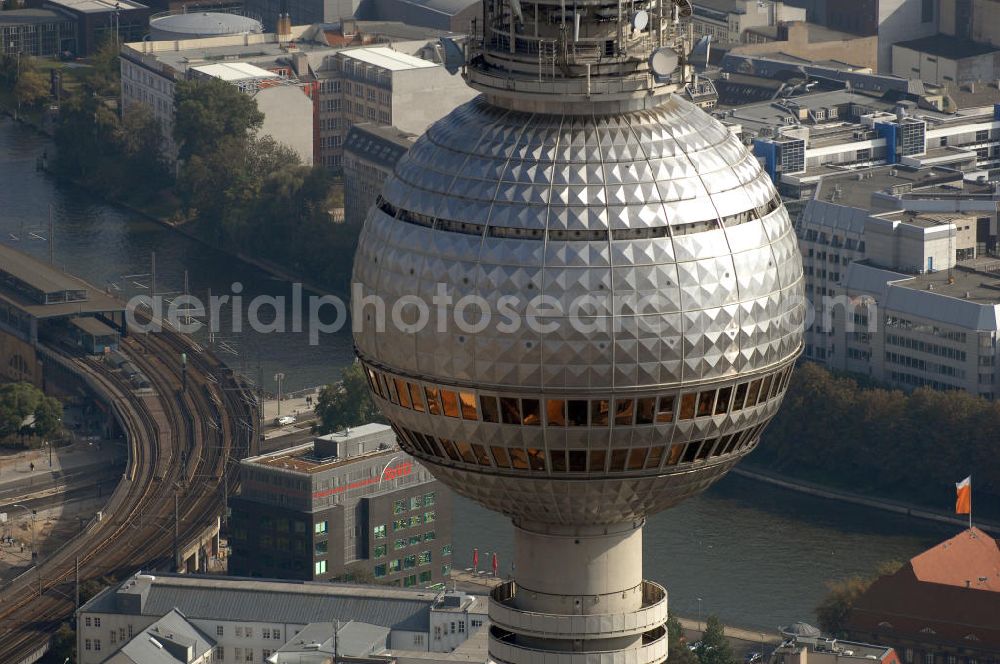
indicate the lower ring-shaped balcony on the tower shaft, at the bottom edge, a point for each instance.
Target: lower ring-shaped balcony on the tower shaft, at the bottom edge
{"x":503,"y":649}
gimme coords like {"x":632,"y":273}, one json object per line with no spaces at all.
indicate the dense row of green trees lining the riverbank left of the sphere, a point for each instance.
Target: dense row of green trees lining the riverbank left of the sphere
{"x":241,"y":190}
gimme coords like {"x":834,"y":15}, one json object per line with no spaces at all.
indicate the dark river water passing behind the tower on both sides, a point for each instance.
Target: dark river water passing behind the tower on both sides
{"x":756,"y":555}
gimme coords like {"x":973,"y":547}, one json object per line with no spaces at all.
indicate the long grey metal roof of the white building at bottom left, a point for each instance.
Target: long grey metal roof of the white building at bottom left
{"x":259,"y":600}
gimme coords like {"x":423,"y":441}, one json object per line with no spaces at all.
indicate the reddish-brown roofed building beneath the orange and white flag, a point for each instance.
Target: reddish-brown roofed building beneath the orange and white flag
{"x":940,"y":607}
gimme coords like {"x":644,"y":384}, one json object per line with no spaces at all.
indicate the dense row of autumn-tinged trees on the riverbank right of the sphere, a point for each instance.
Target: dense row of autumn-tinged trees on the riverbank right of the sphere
{"x":885,"y":442}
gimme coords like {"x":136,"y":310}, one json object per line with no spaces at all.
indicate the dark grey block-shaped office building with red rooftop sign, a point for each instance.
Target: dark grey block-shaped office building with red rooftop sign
{"x":347,"y":505}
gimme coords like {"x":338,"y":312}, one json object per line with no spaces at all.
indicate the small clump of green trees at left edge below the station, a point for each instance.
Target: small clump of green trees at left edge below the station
{"x":27,"y":416}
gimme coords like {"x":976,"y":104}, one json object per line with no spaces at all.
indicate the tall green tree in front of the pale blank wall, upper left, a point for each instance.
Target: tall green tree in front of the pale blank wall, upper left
{"x":209,"y":111}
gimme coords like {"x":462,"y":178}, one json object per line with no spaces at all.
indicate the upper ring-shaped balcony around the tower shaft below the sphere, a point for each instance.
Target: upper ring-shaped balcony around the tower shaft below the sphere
{"x":652,"y":614}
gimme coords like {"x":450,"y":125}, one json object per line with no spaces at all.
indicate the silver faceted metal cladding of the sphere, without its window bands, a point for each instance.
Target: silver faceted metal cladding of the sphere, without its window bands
{"x":662,"y":215}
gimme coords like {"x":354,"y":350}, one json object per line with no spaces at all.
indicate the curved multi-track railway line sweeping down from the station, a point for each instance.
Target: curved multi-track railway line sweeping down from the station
{"x":182,"y":439}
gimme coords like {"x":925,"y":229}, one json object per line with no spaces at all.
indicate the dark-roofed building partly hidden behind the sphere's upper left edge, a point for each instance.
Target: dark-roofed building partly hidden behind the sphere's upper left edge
{"x":370,"y":153}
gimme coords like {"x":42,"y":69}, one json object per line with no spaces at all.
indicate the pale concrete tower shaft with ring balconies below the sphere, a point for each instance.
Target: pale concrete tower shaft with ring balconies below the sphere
{"x":578,"y":597}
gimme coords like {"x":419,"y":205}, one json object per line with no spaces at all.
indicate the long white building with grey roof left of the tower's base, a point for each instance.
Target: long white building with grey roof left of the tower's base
{"x":226,"y":620}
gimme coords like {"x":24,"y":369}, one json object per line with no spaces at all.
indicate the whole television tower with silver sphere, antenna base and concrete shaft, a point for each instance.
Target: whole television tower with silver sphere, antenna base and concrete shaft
{"x":578,"y":301}
